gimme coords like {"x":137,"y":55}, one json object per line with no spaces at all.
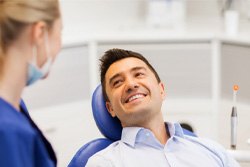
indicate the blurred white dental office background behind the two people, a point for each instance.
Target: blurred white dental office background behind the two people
{"x":201,"y":49}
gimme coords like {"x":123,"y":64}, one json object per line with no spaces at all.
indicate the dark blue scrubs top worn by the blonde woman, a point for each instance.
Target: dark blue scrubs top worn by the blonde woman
{"x":22,"y":144}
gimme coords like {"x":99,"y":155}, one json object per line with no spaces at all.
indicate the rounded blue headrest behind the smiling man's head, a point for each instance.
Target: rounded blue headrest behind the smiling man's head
{"x":110,"y":127}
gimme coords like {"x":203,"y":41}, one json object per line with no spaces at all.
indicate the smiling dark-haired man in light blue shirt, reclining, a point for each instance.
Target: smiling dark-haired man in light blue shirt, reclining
{"x":134,"y":93}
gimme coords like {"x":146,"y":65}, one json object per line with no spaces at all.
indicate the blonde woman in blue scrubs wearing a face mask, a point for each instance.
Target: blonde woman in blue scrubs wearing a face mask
{"x":30,"y":38}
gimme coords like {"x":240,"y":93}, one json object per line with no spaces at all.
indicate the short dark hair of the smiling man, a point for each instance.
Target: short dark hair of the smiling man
{"x":113,"y":55}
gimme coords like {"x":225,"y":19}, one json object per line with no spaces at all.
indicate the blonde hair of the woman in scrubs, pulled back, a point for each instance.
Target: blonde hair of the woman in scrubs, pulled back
{"x":15,"y":15}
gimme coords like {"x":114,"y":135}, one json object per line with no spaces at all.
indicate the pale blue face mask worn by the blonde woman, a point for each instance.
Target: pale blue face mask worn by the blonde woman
{"x":34,"y":73}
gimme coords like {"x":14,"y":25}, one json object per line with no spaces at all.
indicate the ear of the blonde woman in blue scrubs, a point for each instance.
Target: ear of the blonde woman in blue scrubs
{"x":38,"y":31}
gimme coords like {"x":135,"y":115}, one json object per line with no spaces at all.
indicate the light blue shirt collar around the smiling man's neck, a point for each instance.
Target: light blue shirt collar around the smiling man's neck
{"x":130,"y":134}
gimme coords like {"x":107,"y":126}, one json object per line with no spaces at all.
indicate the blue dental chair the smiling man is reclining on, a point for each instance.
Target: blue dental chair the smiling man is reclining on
{"x":110,"y":128}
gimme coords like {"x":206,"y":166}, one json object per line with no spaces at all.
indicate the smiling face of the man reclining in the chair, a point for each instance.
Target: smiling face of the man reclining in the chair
{"x":134,"y":94}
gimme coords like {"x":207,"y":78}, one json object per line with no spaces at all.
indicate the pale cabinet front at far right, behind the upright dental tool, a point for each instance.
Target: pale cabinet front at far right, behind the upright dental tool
{"x":235,"y":69}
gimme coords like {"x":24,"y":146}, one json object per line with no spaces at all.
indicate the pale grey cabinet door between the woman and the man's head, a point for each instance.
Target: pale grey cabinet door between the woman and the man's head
{"x":68,"y":80}
